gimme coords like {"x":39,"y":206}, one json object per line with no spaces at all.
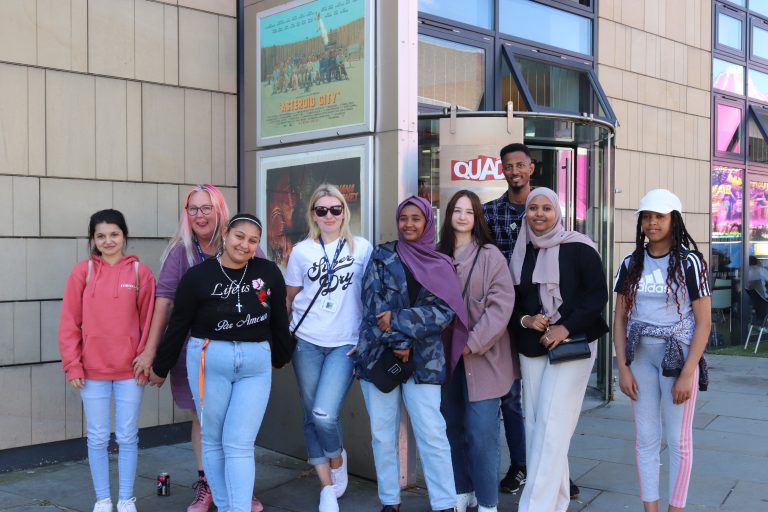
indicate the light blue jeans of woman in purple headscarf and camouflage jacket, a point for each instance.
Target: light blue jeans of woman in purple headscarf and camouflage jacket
{"x":422,"y":401}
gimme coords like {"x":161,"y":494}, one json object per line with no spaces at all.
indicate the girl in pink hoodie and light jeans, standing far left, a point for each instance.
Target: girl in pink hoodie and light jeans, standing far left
{"x":105,"y":317}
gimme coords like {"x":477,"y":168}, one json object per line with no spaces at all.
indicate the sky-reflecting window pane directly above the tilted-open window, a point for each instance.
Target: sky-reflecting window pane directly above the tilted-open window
{"x":545,"y":24}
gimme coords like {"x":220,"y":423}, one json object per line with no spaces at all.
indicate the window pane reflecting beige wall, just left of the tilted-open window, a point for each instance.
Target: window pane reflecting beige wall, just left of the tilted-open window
{"x":451,"y":73}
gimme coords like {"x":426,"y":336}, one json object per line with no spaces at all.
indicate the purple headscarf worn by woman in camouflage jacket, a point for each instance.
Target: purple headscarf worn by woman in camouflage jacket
{"x":435,"y":272}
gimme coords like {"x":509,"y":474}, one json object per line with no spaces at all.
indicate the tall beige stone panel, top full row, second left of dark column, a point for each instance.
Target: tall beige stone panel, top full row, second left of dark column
{"x":198,"y":49}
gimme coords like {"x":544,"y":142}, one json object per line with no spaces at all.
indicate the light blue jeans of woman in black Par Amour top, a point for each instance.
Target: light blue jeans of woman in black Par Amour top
{"x":238,"y":377}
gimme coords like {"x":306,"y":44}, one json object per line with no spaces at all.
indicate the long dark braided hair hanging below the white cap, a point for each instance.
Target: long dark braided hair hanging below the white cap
{"x":682,"y":241}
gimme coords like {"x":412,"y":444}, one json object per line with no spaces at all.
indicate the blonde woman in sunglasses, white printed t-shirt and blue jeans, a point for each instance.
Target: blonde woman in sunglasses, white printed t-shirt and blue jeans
{"x":324,"y":278}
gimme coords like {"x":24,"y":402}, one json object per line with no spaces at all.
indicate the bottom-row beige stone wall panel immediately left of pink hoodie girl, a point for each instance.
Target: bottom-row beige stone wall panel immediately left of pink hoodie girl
{"x":48,"y":403}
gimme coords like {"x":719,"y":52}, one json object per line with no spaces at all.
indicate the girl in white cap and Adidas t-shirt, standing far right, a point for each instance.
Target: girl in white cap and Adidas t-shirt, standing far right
{"x":660,"y":328}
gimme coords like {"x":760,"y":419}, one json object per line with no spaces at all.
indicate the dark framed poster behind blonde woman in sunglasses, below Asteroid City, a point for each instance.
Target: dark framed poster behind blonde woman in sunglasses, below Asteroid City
{"x":286,"y":178}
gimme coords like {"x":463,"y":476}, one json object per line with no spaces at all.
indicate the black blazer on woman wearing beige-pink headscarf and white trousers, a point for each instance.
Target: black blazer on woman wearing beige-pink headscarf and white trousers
{"x":582,"y":287}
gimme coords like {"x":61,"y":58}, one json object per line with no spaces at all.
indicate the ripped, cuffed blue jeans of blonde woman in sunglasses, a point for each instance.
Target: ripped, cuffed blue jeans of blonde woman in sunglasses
{"x":324,"y":375}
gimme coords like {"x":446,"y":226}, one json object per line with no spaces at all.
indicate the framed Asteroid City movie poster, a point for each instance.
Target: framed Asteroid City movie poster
{"x":314,"y":70}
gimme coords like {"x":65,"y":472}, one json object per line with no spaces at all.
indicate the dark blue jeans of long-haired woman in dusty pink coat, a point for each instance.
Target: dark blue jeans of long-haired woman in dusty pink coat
{"x":473,"y":431}
